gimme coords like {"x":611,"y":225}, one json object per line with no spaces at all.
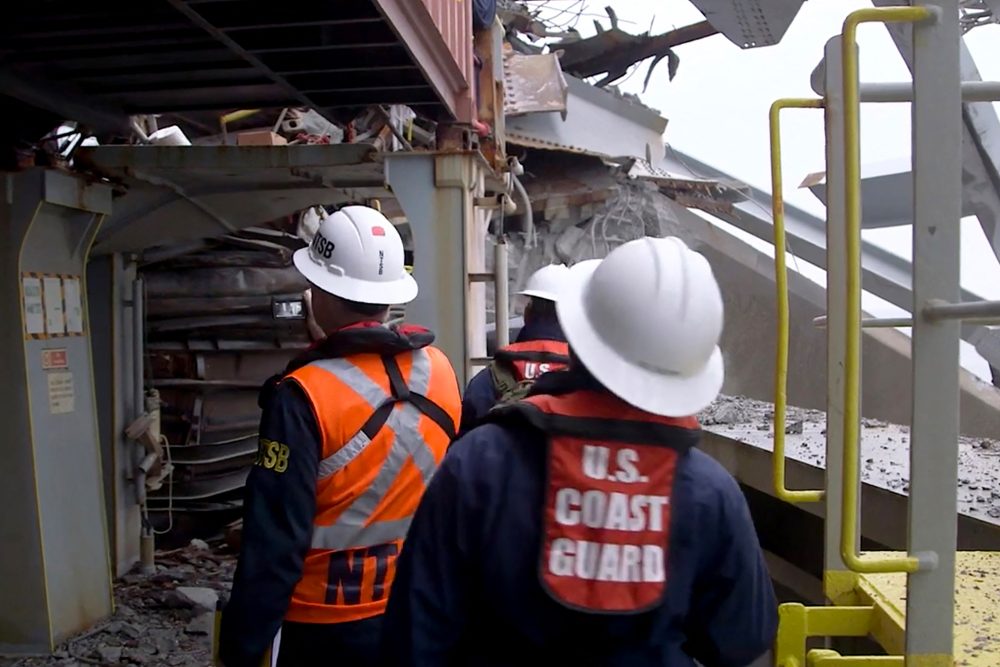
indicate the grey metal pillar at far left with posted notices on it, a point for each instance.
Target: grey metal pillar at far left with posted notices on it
{"x":55,"y":567}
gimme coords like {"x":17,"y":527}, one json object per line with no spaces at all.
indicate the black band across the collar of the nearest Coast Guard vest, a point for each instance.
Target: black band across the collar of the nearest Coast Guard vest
{"x":615,"y":430}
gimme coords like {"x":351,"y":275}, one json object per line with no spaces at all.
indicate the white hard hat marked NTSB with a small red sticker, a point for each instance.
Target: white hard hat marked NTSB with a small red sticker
{"x":357,"y":254}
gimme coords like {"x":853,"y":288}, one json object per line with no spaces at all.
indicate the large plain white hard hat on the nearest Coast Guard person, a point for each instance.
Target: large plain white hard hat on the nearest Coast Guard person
{"x":646,"y":323}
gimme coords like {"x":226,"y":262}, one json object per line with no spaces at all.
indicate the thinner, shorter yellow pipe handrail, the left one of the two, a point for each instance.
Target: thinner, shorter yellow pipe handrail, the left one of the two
{"x":781,"y":287}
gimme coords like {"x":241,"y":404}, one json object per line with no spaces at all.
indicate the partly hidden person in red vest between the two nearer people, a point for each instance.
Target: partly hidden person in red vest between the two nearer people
{"x":540,"y":347}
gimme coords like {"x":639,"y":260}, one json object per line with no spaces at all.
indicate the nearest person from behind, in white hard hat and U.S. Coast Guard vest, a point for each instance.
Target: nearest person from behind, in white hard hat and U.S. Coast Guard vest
{"x":582,"y":525}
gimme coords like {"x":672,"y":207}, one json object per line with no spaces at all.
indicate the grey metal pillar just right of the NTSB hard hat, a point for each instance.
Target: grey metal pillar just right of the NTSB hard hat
{"x":437,"y":194}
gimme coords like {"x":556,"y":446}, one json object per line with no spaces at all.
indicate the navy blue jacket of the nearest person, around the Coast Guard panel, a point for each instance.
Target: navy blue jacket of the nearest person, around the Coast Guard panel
{"x":467,"y":589}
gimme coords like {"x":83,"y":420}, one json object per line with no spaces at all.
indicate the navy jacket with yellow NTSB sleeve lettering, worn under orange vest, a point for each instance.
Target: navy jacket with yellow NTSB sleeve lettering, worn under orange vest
{"x":279,"y":507}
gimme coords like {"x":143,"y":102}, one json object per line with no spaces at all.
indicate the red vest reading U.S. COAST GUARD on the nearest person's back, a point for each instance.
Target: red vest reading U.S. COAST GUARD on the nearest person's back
{"x":606,"y":518}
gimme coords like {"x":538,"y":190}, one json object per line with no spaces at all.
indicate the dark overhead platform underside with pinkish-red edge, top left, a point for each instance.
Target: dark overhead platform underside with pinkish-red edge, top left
{"x":98,"y":62}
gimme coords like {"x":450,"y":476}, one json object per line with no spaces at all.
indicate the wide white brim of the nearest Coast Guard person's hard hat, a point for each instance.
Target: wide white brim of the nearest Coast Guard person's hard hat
{"x":646,"y":389}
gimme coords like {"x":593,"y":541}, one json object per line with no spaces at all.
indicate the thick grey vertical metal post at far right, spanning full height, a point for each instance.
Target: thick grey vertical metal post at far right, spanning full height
{"x":937,"y":209}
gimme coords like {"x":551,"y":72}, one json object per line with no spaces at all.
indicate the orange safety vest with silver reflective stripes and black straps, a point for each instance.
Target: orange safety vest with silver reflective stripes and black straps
{"x":385,"y":423}
